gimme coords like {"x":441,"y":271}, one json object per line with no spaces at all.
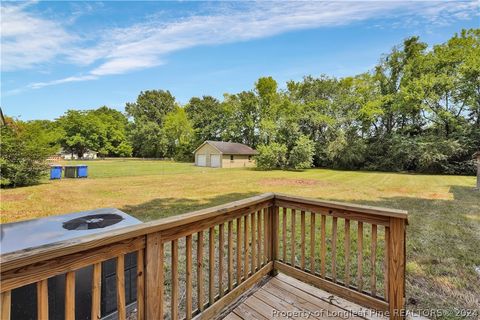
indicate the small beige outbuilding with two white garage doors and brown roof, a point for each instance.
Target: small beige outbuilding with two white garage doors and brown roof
{"x":219,"y":154}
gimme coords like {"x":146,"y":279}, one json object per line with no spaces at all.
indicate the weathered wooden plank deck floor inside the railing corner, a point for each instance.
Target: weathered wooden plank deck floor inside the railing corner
{"x":284,"y":297}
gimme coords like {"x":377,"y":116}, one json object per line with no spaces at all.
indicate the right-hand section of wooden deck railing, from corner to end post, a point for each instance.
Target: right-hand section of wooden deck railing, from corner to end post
{"x":394,"y":224}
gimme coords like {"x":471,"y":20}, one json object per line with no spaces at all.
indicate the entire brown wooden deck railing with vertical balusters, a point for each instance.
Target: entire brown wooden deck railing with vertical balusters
{"x":196,"y":264}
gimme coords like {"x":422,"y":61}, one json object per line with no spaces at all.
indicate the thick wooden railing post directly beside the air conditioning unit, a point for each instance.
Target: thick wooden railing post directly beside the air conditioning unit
{"x":154,"y":276}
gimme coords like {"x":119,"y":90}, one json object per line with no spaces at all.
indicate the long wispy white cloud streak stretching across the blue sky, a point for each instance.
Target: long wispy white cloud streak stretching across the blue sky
{"x":146,"y":44}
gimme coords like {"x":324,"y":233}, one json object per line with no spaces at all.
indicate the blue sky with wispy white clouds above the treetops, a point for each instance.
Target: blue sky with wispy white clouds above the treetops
{"x":81,"y":55}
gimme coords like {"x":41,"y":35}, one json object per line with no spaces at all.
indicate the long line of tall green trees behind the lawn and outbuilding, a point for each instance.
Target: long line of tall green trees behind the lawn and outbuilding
{"x":417,"y":110}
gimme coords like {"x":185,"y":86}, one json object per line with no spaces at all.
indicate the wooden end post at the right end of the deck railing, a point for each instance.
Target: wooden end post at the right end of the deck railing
{"x":396,"y":269}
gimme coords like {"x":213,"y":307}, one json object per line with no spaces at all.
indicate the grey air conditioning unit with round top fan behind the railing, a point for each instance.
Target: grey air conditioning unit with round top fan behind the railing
{"x":39,"y":232}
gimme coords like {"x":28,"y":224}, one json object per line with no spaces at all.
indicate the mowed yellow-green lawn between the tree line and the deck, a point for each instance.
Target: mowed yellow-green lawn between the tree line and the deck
{"x":443,"y":240}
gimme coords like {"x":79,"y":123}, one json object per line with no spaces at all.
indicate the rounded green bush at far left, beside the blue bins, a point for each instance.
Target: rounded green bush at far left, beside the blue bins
{"x":23,"y":154}
